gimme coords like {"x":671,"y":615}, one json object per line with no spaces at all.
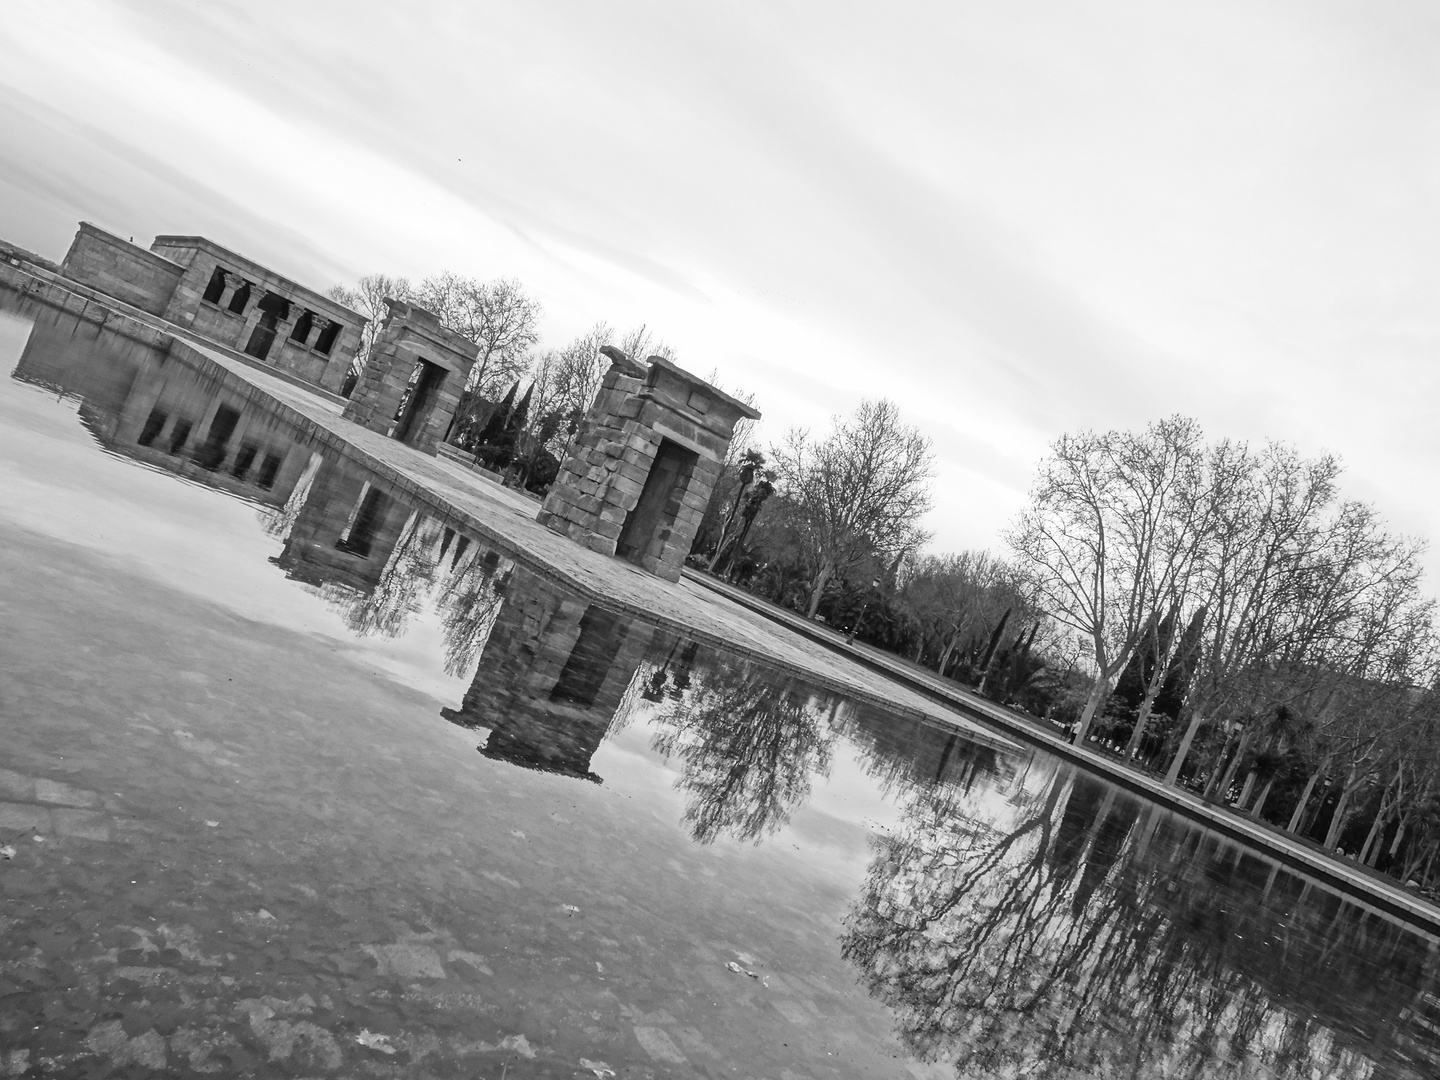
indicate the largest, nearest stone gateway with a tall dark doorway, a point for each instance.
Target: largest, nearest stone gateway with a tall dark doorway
{"x":642,"y":469}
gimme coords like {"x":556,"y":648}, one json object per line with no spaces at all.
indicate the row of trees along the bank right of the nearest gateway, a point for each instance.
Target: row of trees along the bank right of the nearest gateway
{"x":1209,"y":610}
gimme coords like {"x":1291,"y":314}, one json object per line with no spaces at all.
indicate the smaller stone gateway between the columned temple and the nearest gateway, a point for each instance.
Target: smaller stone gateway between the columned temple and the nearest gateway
{"x":414,"y":379}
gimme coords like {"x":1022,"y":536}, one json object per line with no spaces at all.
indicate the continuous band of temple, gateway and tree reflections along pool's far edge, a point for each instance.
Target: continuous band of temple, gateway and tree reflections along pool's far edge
{"x":1019,"y":919}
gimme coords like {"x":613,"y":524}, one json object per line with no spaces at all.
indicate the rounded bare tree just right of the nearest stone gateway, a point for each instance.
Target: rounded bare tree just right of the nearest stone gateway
{"x":859,"y":492}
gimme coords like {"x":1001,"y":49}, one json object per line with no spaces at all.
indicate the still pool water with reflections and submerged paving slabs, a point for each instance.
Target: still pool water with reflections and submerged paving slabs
{"x":305,"y":781}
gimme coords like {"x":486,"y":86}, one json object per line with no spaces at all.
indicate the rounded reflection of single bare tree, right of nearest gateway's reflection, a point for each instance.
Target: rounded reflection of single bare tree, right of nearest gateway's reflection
{"x":748,"y":748}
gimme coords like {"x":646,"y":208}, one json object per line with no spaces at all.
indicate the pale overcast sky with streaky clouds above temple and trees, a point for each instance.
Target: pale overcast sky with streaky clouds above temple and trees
{"x":1013,"y":220}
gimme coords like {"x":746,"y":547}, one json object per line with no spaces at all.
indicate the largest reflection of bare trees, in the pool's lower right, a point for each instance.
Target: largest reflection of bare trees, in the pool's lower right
{"x":1088,"y":938}
